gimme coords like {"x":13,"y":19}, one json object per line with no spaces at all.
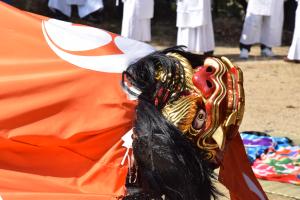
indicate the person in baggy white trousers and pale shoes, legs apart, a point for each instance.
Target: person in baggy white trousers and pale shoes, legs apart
{"x":263,"y":24}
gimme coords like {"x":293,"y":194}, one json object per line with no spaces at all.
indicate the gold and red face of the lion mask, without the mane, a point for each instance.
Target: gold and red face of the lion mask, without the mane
{"x":213,"y":105}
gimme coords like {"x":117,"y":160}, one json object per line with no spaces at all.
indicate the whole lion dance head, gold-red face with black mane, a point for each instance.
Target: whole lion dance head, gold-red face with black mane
{"x":189,"y":105}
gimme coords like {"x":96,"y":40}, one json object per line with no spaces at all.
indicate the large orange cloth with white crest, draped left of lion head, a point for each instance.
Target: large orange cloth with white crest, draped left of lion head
{"x":63,"y":112}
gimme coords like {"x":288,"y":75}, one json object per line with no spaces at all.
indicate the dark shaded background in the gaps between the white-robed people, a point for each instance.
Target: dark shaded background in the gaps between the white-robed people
{"x":228,"y":18}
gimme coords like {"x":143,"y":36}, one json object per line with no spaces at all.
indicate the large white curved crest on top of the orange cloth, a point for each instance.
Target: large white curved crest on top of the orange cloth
{"x":63,"y":37}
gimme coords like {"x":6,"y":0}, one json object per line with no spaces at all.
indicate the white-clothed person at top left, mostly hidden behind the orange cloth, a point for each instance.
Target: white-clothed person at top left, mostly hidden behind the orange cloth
{"x":85,"y":7}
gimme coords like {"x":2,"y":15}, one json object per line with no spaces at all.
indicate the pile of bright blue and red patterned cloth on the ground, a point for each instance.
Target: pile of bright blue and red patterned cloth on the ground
{"x":273,"y":158}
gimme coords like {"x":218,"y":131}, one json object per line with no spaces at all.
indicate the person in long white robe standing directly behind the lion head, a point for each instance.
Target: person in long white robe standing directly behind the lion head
{"x":195,"y":28}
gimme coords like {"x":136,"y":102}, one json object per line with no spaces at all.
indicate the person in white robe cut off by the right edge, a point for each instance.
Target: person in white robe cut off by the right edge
{"x":294,"y":51}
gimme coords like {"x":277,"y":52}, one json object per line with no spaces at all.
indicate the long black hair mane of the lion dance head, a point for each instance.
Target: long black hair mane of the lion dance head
{"x":167,"y":162}
